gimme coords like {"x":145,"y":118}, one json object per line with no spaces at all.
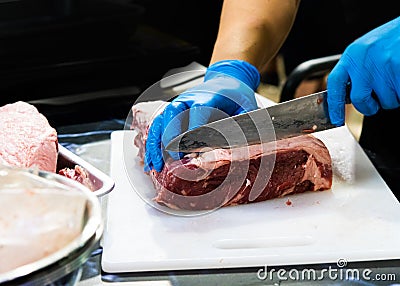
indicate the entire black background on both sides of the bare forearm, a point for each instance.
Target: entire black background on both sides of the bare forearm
{"x":114,"y":49}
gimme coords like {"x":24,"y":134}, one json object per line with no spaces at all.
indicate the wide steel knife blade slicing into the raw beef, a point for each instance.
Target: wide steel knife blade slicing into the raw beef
{"x":291,"y":118}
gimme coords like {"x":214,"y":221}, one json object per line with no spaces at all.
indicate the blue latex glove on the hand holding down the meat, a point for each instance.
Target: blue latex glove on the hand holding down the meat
{"x":227,"y":90}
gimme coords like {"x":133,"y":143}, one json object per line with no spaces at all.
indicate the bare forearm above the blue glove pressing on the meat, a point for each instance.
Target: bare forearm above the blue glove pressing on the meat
{"x":253,"y":30}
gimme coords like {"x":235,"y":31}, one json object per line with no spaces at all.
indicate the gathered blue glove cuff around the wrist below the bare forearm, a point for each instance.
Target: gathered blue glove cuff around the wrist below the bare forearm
{"x":241,"y":70}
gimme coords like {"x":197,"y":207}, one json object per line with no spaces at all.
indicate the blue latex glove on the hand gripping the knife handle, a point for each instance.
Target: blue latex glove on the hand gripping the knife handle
{"x":371,"y":64}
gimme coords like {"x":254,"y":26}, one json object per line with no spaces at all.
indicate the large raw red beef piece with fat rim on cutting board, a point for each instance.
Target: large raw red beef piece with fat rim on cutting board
{"x":226,"y":177}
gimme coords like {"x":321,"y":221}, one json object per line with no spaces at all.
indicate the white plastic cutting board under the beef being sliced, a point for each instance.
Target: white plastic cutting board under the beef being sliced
{"x":357,"y":220}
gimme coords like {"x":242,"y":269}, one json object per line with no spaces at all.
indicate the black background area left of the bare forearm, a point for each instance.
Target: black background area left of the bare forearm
{"x":51,"y":48}
